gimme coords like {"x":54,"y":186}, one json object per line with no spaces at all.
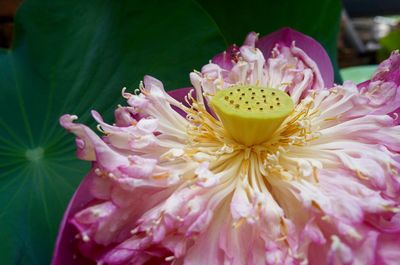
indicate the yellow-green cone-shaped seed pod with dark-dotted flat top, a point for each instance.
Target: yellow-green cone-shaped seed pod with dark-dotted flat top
{"x":251,"y":114}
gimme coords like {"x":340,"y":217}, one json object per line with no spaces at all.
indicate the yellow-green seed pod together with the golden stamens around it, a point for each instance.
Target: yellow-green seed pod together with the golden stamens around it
{"x":251,"y":136}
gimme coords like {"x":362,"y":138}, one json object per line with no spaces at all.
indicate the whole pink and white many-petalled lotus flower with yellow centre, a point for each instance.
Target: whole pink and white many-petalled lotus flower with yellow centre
{"x":264,"y":161}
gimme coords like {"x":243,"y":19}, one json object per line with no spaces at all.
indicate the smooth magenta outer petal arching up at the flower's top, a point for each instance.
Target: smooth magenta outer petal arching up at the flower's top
{"x":311,"y":47}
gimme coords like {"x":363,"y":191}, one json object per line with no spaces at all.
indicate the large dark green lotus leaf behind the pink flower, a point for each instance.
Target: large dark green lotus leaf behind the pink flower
{"x":71,"y":56}
